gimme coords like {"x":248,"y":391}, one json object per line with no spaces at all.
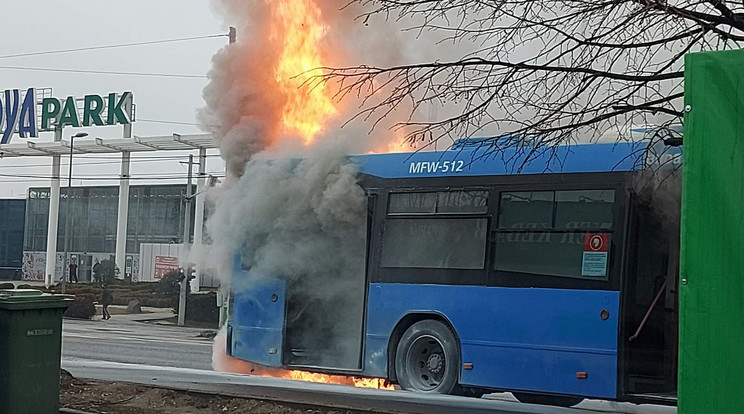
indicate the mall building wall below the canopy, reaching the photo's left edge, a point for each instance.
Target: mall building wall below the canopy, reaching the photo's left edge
{"x":155,"y":231}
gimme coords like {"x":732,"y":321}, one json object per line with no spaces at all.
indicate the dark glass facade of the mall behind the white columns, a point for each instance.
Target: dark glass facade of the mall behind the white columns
{"x":156,"y":215}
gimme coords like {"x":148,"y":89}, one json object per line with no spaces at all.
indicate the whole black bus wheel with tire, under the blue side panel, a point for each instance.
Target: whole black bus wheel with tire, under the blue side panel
{"x":427,"y":358}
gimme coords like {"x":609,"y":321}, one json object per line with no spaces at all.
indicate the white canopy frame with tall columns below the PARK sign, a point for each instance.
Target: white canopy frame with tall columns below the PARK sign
{"x":123,"y":146}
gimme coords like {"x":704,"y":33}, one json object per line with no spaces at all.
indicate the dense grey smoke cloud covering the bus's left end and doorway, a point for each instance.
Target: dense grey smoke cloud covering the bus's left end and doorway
{"x":302,"y":221}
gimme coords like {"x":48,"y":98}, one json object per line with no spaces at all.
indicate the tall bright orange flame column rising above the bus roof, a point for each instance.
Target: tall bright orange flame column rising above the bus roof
{"x":299,"y":29}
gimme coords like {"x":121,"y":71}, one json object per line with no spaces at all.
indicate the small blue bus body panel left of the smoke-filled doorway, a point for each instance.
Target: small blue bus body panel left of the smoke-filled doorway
{"x":256,"y":330}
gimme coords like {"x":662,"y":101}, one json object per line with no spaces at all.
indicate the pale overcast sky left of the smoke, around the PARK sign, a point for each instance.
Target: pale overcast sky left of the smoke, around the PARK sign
{"x":43,"y":25}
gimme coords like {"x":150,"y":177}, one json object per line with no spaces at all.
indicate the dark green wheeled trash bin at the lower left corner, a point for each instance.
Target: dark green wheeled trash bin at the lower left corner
{"x":30,"y":351}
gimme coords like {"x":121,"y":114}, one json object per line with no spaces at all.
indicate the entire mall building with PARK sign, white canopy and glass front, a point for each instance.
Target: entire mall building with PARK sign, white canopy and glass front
{"x":140,"y":227}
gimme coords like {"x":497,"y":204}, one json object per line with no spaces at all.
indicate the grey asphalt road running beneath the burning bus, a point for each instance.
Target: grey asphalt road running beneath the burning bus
{"x":122,"y":349}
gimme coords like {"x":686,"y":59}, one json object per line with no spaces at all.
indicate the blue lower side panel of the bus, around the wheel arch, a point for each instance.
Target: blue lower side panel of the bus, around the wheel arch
{"x":516,"y":338}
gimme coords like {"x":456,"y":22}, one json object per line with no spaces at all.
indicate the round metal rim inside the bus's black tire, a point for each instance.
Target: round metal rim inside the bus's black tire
{"x":426,"y":363}
